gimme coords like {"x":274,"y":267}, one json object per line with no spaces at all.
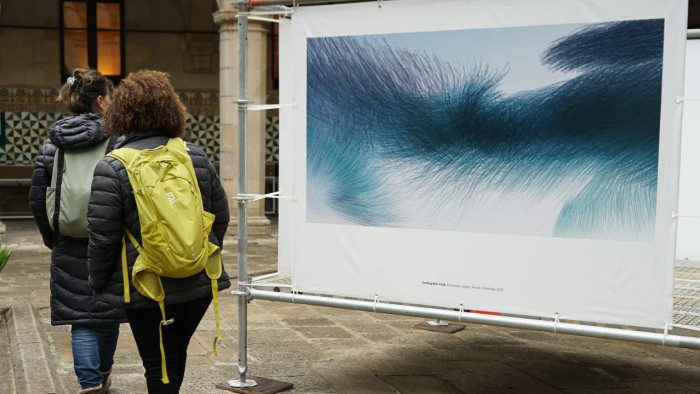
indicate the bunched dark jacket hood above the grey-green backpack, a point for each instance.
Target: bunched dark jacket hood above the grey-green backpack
{"x":78,"y":132}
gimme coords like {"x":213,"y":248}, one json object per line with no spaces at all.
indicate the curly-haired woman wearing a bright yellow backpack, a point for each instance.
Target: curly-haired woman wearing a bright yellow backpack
{"x":157,"y":218}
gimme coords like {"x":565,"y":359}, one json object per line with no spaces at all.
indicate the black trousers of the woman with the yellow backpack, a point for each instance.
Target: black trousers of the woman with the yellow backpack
{"x":176,"y":337}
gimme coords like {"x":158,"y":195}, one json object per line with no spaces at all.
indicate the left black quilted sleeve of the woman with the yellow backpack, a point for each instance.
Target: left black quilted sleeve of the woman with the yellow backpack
{"x":105,"y":223}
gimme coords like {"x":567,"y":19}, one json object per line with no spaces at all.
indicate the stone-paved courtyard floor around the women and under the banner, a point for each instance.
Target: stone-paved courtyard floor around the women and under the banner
{"x":325,"y":350}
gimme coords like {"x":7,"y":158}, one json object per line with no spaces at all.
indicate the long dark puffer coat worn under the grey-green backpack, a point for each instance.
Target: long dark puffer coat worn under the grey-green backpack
{"x":72,"y":300}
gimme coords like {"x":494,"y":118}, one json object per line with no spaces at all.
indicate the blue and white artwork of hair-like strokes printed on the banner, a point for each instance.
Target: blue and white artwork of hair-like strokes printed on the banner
{"x":538,"y":131}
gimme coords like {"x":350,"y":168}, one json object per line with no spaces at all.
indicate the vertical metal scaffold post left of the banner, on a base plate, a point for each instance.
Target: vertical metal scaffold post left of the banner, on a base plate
{"x":243,"y":278}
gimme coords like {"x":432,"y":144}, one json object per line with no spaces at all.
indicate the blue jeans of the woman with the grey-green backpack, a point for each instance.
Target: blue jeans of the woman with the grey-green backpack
{"x":93,"y":351}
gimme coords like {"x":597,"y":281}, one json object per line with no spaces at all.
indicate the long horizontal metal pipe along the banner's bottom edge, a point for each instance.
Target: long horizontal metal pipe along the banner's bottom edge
{"x":494,"y":320}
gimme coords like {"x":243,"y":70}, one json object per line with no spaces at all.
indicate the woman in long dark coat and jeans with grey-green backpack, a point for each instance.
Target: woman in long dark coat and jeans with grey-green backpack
{"x":59,"y":198}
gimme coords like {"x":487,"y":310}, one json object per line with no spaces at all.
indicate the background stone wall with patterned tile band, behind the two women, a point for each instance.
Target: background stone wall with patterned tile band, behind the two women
{"x":175,"y":36}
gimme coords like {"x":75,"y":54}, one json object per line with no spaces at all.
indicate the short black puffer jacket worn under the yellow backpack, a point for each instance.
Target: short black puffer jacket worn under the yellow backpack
{"x":112,"y":207}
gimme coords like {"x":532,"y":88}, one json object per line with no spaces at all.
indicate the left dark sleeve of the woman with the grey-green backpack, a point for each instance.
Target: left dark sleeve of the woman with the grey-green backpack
{"x":41,"y":179}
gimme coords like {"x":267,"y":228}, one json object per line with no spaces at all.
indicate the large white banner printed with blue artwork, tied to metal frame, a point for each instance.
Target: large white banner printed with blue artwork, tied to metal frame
{"x":510,"y":156}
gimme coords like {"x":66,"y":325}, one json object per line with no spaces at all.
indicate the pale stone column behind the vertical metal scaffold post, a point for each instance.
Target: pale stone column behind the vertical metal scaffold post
{"x":225,"y":18}
